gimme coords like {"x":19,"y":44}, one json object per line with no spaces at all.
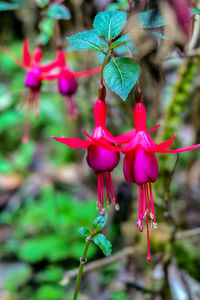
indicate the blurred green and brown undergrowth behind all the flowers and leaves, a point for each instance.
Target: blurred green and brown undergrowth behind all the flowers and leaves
{"x":47,"y":191}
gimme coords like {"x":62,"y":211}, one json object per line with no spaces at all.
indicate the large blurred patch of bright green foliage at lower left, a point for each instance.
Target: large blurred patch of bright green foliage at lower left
{"x":53,"y":230}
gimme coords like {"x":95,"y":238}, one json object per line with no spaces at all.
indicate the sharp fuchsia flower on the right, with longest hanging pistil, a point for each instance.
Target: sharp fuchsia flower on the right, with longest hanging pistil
{"x":140,"y":166}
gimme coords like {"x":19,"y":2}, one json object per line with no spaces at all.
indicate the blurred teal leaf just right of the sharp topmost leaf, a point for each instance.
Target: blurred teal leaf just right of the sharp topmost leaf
{"x":150,"y":19}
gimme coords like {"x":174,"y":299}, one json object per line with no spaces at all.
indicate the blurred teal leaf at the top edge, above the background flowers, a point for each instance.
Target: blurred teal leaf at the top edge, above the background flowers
{"x":58,"y":12}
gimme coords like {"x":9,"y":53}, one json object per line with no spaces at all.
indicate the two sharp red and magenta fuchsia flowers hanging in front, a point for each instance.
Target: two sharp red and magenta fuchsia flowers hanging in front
{"x":140,"y":164}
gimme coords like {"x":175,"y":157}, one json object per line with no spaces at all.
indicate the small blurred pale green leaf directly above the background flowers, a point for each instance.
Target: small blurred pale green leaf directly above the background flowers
{"x":46,"y":29}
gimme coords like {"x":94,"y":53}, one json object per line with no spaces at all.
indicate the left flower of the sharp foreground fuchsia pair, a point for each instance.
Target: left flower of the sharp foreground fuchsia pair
{"x":101,"y":160}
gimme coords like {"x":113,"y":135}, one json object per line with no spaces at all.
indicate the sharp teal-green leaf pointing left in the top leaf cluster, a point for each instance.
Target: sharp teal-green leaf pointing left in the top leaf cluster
{"x":86,"y":40}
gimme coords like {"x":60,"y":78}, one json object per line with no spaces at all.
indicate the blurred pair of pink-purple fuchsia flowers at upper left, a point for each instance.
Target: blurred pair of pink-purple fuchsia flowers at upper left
{"x":36,"y":73}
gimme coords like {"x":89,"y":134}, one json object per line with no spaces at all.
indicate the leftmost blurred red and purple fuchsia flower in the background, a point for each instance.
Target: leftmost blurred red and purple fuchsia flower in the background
{"x":33,"y":78}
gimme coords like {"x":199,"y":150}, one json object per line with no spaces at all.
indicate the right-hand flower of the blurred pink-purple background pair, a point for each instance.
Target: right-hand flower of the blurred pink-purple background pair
{"x":67,"y":83}
